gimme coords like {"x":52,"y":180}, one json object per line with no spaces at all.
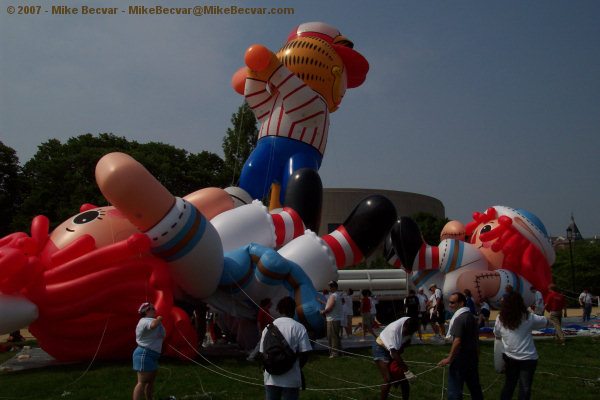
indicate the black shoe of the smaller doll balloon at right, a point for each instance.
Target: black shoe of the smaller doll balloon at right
{"x":406,"y":241}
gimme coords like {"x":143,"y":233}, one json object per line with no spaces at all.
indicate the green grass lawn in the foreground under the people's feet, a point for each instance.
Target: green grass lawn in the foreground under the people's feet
{"x":563,"y":372}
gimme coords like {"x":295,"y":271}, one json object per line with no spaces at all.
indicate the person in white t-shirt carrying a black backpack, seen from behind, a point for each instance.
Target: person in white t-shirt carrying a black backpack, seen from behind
{"x":288,"y":384}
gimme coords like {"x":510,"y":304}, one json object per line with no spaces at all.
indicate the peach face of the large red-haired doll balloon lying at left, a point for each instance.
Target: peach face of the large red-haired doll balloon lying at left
{"x":105,"y":224}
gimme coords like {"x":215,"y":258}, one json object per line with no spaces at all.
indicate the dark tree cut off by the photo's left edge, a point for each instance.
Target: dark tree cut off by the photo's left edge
{"x":10,"y":188}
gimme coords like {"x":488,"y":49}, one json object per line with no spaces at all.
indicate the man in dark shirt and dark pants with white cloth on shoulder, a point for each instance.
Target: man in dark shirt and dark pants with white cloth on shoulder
{"x":463,"y":357}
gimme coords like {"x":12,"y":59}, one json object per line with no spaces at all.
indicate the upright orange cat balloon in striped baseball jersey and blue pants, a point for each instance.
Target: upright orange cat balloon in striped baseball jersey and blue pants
{"x":292,"y":93}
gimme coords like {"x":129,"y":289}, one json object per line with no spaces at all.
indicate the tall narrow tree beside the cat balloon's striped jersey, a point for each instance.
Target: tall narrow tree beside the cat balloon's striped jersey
{"x":239,"y":141}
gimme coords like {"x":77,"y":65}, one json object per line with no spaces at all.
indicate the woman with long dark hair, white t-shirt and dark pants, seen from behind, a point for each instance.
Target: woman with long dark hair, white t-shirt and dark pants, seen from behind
{"x":513,"y":327}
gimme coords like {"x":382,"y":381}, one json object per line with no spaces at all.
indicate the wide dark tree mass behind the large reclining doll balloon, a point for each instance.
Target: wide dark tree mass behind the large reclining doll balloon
{"x":61,"y":177}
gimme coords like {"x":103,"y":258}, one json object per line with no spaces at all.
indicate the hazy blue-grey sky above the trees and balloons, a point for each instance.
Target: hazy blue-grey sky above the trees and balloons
{"x":474,"y":103}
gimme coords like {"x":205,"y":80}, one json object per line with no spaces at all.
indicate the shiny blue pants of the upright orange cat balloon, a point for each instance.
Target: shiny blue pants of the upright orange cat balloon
{"x":274,"y":160}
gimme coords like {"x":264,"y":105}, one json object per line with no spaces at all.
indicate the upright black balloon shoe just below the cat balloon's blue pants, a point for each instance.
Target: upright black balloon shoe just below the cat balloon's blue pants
{"x":304,"y":194}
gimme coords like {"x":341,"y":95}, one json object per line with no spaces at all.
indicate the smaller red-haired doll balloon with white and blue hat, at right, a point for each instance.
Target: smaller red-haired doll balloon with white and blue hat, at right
{"x":506,"y":246}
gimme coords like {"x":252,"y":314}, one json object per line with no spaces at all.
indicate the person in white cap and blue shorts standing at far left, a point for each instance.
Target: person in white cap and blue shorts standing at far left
{"x":149,"y":335}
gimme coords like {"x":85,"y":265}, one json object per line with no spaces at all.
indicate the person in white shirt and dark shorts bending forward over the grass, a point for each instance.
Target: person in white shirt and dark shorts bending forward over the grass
{"x":388,"y":347}
